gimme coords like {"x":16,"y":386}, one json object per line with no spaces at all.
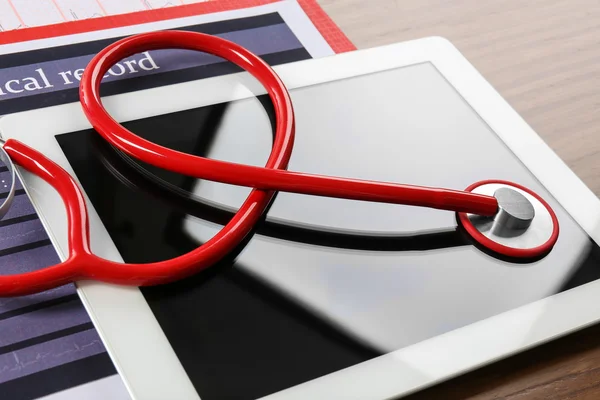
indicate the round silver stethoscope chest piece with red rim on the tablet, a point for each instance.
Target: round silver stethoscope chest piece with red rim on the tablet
{"x":523,"y":227}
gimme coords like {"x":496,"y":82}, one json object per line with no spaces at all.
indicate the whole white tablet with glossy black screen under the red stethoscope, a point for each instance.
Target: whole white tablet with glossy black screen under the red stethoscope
{"x":298,"y":315}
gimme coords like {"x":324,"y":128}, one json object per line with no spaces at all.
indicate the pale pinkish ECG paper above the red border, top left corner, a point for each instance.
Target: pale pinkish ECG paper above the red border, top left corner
{"x":16,"y":14}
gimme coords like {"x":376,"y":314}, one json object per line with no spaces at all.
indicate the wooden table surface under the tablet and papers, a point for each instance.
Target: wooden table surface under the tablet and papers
{"x":544,"y":58}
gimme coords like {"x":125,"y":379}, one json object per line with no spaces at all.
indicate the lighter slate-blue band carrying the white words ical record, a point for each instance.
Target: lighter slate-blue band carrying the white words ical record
{"x":57,"y":75}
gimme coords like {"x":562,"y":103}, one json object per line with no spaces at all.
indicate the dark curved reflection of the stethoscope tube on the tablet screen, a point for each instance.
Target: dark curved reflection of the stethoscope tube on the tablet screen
{"x":140,"y":179}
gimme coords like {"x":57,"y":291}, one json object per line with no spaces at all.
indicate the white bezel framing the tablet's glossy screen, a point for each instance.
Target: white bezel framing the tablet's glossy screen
{"x":137,"y":345}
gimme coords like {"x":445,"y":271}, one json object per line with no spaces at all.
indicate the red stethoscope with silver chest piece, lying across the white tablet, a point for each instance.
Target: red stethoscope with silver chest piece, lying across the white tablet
{"x":502,"y":217}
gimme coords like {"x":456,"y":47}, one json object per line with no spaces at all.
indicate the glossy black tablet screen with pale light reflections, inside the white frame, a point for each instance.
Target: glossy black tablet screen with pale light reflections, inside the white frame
{"x":290,"y":306}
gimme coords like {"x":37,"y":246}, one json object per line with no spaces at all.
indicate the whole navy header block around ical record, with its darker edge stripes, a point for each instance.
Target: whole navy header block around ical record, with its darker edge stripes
{"x":55,"y":71}
